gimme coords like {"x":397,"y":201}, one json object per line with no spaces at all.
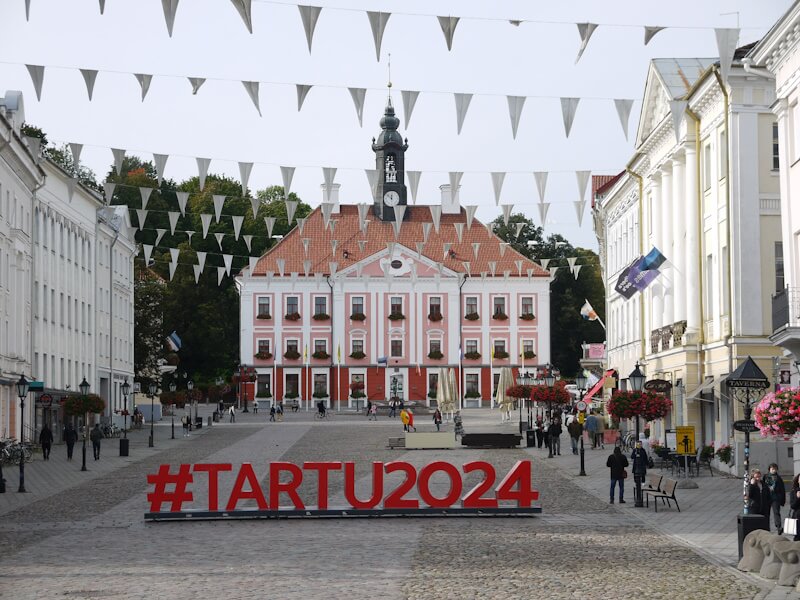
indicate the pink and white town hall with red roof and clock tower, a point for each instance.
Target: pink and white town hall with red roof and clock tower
{"x":370,"y":302}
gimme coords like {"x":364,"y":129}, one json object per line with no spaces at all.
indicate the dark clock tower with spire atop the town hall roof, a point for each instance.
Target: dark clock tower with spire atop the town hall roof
{"x":389,"y":148}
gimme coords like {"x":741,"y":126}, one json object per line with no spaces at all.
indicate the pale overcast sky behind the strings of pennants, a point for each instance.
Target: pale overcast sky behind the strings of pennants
{"x":490,"y":58}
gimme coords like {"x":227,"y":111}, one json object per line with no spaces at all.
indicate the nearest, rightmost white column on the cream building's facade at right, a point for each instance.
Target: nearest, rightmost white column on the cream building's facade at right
{"x":692,"y":245}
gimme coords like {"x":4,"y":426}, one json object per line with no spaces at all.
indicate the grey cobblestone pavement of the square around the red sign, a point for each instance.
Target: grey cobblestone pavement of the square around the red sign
{"x":90,"y":541}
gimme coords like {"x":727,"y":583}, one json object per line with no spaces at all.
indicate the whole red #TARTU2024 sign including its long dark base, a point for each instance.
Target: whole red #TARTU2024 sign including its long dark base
{"x":174,"y":487}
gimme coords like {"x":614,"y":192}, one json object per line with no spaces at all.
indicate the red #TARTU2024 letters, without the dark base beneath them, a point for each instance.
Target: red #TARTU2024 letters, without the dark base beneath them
{"x":171,"y":488}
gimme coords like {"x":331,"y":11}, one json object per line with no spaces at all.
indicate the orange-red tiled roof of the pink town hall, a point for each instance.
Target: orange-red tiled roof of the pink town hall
{"x":348,"y":233}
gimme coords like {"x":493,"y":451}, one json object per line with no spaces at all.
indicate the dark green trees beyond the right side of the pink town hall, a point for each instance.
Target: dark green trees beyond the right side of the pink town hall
{"x":567,"y":294}
